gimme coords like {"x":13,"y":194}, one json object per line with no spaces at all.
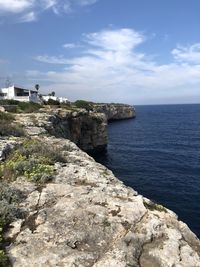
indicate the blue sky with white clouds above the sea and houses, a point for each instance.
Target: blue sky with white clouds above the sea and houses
{"x":127,"y":51}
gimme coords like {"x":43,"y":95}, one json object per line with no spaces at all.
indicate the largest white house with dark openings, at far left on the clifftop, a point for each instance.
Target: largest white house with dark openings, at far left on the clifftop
{"x":19,"y":94}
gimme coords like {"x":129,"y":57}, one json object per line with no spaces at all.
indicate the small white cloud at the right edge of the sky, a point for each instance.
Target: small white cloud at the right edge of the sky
{"x":187,"y":54}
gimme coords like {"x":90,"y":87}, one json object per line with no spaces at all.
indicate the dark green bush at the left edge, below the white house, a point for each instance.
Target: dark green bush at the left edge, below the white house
{"x":8,"y":127}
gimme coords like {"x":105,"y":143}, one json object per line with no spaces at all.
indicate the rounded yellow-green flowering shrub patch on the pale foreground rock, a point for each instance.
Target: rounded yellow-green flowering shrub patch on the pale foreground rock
{"x":33,"y":160}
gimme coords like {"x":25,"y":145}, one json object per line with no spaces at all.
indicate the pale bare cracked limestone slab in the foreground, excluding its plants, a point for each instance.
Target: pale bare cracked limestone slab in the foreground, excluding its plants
{"x":86,"y":217}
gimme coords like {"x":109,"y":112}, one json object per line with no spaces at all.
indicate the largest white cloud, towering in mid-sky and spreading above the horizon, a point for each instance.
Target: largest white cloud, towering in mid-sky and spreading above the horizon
{"x":111,"y":69}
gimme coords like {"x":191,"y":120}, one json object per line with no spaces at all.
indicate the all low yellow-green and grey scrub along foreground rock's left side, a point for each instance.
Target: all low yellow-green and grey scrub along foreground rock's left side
{"x":33,"y":160}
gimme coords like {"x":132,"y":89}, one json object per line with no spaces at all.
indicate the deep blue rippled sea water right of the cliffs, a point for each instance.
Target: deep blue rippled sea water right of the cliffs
{"x":158,"y":154}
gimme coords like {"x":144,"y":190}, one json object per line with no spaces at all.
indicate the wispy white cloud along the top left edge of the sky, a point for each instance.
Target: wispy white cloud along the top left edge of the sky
{"x":28,"y":8}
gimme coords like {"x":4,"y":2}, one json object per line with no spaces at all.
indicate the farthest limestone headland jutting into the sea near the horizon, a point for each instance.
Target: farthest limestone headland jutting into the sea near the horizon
{"x":116,"y":111}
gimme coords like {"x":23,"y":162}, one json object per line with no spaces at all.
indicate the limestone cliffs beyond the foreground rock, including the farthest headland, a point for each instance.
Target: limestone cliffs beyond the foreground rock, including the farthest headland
{"x":87,"y":129}
